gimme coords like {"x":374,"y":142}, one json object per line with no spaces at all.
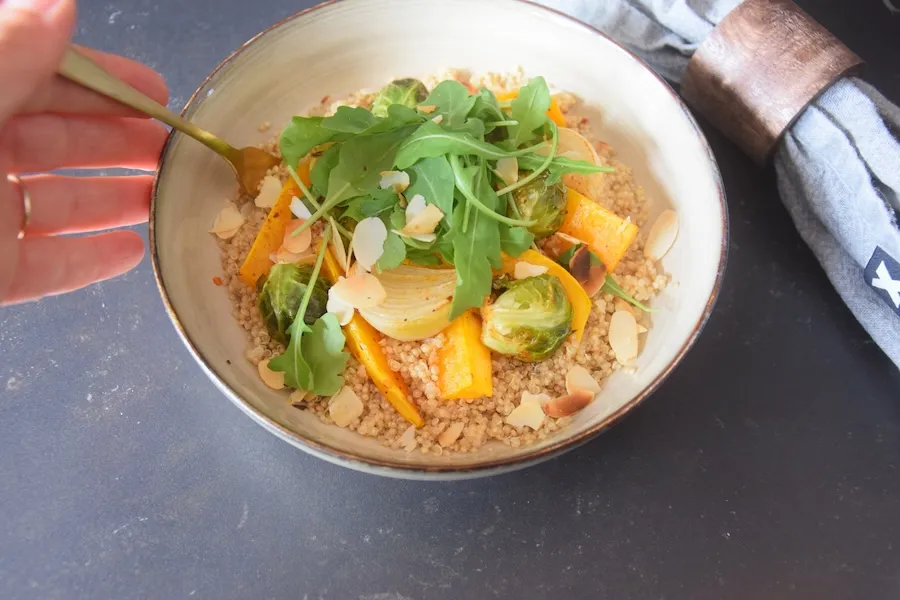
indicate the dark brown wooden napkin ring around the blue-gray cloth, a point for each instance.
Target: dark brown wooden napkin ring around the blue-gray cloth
{"x":759,"y":68}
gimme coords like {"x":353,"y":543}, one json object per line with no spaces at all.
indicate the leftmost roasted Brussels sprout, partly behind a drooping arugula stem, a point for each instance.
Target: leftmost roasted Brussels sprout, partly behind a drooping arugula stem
{"x":280,"y":295}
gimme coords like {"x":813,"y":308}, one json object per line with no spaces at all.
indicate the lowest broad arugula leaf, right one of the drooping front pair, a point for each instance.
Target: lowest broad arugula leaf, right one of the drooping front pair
{"x":323,"y":349}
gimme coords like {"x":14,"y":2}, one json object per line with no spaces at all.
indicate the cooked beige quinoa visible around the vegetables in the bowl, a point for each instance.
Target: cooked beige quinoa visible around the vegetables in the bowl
{"x":481,"y":420}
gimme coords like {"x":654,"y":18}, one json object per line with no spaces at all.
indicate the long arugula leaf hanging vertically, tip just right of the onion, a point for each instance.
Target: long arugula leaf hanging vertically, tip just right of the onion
{"x":477,"y":249}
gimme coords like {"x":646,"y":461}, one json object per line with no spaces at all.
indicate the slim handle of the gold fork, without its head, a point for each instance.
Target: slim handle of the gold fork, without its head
{"x":84,"y":71}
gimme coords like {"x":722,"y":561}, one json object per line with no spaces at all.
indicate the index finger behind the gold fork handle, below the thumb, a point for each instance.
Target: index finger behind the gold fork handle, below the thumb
{"x":61,"y":96}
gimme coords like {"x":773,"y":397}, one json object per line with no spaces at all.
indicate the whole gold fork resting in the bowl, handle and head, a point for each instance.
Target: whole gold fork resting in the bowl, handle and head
{"x":249,"y":164}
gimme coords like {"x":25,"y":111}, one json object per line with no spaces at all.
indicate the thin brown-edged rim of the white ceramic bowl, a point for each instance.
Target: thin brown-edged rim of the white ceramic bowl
{"x":361,"y":462}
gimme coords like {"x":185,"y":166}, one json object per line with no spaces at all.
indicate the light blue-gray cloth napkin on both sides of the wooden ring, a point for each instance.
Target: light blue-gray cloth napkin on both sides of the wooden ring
{"x":838,"y":167}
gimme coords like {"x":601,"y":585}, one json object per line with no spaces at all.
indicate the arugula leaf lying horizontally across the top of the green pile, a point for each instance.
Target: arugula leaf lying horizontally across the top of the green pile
{"x":431,"y":140}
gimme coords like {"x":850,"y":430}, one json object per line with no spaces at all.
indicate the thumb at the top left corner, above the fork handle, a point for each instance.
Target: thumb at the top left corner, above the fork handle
{"x":33,"y":37}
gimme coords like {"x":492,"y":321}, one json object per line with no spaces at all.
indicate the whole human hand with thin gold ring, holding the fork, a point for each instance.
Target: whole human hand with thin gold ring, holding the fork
{"x":48,"y":123}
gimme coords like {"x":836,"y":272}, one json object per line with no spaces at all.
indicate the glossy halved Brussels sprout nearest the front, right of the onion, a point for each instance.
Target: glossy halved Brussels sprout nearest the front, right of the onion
{"x":530,"y":320}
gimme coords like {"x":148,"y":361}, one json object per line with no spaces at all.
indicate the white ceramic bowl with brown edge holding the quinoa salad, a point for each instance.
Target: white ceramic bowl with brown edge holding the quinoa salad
{"x":339,"y":47}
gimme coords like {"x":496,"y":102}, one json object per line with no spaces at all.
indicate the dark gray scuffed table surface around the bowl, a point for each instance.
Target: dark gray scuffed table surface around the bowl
{"x":765,"y":467}
